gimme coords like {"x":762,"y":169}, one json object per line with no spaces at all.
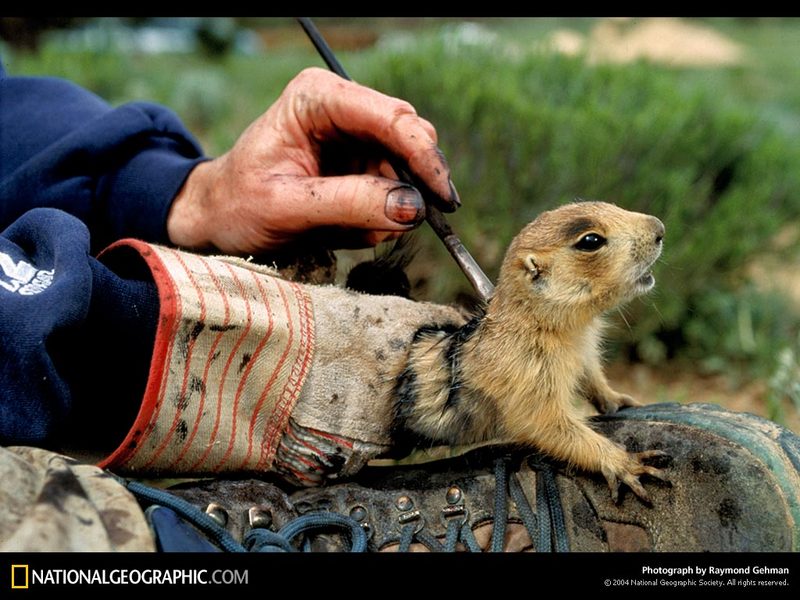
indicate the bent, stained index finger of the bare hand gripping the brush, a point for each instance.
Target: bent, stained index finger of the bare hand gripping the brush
{"x":359,"y":111}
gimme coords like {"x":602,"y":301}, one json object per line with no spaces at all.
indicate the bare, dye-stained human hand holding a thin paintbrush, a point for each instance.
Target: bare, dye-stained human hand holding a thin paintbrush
{"x":315,"y":161}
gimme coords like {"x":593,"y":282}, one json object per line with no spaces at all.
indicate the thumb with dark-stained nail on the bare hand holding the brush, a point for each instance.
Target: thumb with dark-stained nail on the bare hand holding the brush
{"x":357,"y":201}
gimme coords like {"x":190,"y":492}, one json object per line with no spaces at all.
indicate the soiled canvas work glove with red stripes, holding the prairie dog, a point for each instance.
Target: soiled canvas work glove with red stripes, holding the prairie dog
{"x":254,"y":373}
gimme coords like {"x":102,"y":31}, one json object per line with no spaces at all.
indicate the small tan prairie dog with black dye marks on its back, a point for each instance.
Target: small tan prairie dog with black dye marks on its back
{"x":511,"y":374}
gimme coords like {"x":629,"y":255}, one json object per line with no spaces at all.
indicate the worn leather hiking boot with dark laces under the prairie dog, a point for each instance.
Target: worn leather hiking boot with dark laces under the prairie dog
{"x":734,"y":485}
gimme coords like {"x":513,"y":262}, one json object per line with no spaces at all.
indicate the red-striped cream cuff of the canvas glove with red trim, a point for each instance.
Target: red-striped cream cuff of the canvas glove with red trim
{"x":233,"y":348}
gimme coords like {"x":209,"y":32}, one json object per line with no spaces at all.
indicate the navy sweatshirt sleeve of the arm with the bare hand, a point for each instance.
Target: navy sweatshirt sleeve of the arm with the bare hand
{"x":116,"y":169}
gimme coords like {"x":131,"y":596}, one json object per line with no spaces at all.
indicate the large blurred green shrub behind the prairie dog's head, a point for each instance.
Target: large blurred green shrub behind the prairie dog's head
{"x":525,"y":133}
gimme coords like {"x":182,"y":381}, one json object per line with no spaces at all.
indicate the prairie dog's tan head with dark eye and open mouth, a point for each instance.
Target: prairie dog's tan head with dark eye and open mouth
{"x":586,"y":257}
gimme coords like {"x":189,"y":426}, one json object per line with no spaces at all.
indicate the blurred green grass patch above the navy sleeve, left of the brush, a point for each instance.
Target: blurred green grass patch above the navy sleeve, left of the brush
{"x":216,"y":99}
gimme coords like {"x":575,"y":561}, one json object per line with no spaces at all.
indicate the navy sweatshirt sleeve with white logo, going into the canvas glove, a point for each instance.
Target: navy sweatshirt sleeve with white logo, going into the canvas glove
{"x":76,"y":337}
